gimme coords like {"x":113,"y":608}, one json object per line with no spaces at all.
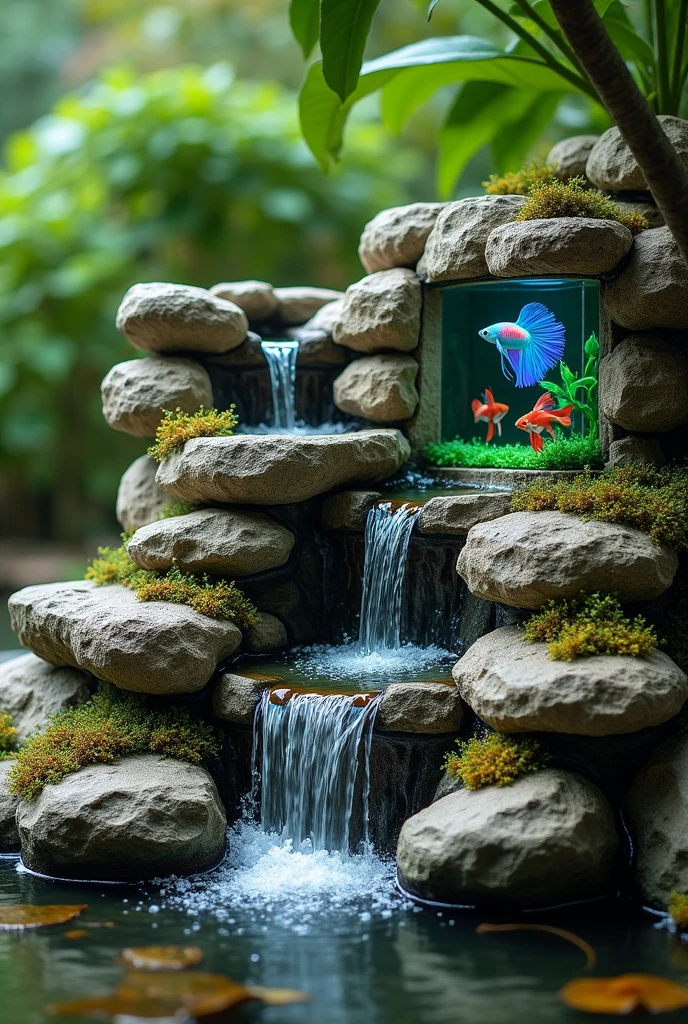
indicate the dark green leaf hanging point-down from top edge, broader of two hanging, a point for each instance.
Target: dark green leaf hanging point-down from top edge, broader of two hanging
{"x":345,"y":29}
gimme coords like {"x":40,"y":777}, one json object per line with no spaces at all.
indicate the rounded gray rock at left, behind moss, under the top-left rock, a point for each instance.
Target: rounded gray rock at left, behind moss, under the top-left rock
{"x":136,"y":394}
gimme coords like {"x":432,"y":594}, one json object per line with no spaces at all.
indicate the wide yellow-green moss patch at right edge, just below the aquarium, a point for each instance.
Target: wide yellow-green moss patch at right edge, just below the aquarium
{"x":655,"y":501}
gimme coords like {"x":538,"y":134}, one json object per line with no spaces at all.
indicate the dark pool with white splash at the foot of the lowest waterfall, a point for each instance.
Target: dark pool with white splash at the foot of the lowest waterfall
{"x":332,"y":927}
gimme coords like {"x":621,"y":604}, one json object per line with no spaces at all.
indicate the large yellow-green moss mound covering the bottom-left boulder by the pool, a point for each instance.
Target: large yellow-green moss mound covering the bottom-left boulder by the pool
{"x":111,"y":726}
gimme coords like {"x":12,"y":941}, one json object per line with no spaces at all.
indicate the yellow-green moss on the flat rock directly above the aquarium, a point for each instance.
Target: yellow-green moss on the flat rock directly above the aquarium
{"x":573,"y":199}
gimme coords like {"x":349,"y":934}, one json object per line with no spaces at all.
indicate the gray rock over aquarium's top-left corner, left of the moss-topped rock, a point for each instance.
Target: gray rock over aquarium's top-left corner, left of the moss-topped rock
{"x":456,"y":248}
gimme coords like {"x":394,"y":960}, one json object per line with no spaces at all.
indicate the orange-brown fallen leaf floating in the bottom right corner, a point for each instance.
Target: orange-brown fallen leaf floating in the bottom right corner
{"x":625,"y":994}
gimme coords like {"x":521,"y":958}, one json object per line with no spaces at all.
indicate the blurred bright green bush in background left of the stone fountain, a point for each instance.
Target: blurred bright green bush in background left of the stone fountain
{"x":184,"y":175}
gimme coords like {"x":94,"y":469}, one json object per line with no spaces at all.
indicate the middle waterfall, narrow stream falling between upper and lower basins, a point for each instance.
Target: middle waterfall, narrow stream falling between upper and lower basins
{"x":389,"y":533}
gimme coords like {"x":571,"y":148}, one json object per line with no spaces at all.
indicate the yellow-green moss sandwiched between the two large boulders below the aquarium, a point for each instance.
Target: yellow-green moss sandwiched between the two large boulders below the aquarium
{"x":589,"y":624}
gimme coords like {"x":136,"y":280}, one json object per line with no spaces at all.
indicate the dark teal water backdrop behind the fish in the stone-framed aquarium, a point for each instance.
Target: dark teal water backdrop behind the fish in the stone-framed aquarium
{"x":470,"y":364}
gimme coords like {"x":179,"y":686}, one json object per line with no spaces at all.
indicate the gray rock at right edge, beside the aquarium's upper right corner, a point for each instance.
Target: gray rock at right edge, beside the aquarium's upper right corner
{"x":653,"y":290}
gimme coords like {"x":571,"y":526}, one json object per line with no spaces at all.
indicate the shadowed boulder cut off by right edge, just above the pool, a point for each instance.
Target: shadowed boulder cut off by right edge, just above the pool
{"x":658,"y":816}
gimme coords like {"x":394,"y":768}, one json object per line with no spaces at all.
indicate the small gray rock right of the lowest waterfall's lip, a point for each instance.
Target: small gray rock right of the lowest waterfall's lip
{"x":425,"y":707}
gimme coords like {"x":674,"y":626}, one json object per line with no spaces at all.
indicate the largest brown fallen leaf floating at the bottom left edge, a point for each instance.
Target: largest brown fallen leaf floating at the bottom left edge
{"x":146,"y":995}
